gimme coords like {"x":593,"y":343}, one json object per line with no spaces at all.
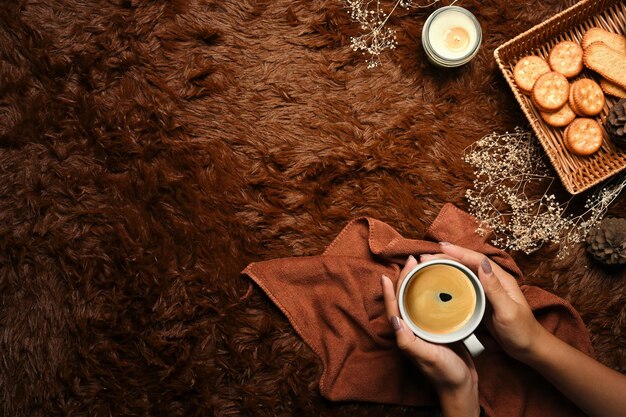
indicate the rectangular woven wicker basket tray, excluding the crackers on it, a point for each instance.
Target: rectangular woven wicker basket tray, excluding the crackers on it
{"x":577,"y":173}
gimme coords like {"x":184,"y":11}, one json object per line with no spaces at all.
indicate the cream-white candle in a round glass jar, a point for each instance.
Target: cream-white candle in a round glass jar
{"x":451,"y":36}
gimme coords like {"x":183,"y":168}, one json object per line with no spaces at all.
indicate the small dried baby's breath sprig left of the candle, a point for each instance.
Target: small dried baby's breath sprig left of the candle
{"x":372,"y":18}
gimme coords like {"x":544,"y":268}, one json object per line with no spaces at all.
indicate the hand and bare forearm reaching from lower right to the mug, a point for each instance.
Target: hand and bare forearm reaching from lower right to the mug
{"x":595,"y":388}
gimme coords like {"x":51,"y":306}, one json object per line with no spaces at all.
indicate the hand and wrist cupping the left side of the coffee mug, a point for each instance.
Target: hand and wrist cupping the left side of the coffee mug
{"x":452,"y":372}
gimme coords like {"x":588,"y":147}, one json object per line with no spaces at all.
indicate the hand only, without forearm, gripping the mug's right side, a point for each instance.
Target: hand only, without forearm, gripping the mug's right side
{"x":512,"y":322}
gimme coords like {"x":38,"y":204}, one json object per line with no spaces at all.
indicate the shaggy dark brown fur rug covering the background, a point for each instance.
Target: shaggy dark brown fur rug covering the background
{"x":149,"y":150}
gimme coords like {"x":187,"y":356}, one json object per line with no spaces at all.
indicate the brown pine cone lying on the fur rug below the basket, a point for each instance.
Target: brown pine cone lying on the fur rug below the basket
{"x":607,"y":243}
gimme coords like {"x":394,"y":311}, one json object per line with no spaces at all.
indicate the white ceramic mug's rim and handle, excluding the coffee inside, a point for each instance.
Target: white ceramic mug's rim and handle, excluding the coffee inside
{"x":466,"y":332}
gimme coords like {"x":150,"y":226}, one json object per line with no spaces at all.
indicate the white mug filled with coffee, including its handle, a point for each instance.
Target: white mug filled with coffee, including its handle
{"x":442,"y":301}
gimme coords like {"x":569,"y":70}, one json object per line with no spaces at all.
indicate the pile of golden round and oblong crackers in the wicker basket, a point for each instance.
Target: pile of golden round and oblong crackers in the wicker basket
{"x":573,"y":103}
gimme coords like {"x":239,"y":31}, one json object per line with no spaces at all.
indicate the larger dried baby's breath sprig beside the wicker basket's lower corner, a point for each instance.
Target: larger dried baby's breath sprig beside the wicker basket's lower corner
{"x":509,"y":167}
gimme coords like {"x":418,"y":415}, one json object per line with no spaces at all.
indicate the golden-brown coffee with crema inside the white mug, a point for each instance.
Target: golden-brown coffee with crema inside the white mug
{"x":425,"y":295}
